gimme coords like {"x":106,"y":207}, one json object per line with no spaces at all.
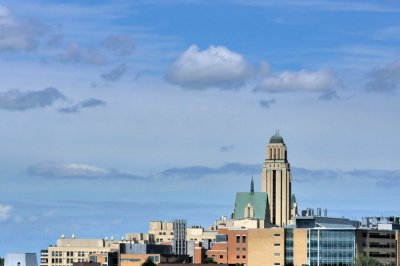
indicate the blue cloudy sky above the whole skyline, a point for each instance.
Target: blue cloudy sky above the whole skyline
{"x":115,"y":113}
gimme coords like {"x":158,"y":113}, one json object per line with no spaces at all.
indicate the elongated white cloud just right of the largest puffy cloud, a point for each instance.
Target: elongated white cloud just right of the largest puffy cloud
{"x":302,"y":80}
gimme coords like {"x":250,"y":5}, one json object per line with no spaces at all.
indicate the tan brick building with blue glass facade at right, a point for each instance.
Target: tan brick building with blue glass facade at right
{"x":312,"y":241}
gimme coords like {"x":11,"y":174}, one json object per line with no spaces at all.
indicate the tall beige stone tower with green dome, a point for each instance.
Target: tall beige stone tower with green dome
{"x":276,"y":180}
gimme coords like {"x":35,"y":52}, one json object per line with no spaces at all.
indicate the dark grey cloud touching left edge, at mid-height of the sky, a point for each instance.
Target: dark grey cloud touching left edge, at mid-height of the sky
{"x":16,"y":100}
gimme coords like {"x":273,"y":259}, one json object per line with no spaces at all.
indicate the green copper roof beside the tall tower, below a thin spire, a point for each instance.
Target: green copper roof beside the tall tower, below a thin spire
{"x":258,"y":200}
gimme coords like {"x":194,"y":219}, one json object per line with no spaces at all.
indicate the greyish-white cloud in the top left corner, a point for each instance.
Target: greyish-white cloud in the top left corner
{"x":17,"y":34}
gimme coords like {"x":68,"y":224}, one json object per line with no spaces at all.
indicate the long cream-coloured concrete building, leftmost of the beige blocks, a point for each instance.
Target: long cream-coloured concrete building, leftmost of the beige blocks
{"x":68,"y":251}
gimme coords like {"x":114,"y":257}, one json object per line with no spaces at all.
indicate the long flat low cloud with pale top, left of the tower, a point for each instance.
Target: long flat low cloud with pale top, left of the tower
{"x":75,"y":170}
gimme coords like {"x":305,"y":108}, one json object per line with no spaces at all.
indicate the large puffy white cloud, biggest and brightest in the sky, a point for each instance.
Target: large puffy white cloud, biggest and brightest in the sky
{"x":215,"y":67}
